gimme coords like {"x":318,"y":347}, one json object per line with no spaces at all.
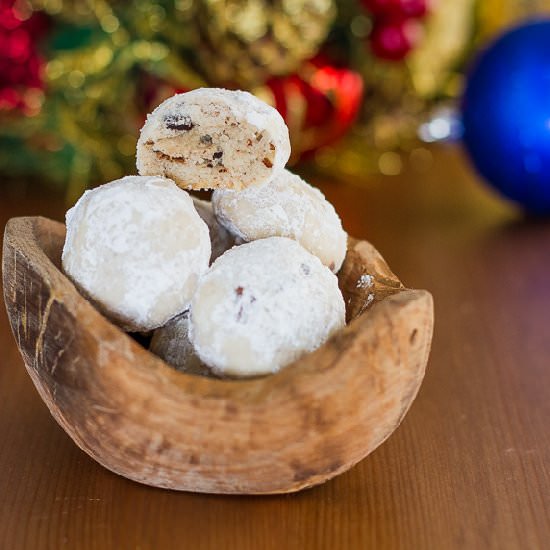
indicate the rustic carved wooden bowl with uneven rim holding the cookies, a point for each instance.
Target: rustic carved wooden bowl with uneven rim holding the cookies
{"x":144,"y":420}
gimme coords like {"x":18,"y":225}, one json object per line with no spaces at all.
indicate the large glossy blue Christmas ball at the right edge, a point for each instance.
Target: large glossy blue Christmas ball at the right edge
{"x":506,"y":115}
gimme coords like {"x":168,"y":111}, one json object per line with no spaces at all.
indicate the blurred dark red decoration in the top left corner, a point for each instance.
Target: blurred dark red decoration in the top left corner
{"x":20,"y":64}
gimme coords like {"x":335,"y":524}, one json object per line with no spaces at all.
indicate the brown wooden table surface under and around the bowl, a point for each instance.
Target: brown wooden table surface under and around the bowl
{"x":469,"y":468}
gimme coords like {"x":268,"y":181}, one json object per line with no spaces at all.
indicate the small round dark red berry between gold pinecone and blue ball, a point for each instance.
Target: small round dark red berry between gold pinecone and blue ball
{"x":394,"y":39}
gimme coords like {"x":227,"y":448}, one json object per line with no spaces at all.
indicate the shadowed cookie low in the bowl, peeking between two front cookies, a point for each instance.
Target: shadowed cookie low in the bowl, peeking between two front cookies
{"x":171,"y":343}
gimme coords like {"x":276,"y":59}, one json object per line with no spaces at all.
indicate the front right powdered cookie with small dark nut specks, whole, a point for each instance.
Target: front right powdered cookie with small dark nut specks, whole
{"x":261,"y":306}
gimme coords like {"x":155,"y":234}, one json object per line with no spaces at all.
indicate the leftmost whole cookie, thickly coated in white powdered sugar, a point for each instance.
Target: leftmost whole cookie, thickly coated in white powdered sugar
{"x":136,"y":247}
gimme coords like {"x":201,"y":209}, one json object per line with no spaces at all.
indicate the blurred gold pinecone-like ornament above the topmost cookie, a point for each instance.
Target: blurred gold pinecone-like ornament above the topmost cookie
{"x":243,"y":42}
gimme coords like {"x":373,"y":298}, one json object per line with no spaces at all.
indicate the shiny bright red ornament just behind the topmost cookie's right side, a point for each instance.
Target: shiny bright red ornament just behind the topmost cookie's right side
{"x":319,"y":104}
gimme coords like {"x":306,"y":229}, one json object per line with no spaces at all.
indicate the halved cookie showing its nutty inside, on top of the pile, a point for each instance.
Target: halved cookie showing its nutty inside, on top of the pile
{"x":210,"y":138}
